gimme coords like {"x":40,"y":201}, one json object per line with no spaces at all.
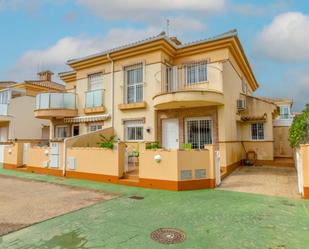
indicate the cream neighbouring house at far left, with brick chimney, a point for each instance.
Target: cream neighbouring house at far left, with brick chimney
{"x":17,"y":104}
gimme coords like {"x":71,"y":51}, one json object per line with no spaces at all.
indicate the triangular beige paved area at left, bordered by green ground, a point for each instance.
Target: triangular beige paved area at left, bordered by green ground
{"x":24,"y":202}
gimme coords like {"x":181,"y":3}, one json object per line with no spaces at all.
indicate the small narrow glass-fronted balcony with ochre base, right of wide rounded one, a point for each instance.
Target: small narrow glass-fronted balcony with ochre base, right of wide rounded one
{"x":94,"y":101}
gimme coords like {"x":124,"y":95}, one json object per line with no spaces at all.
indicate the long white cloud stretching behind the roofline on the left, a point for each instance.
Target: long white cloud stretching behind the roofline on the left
{"x":55,"y":56}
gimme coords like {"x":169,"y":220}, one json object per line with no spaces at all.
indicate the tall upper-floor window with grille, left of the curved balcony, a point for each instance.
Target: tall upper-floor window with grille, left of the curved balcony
{"x":134,"y":83}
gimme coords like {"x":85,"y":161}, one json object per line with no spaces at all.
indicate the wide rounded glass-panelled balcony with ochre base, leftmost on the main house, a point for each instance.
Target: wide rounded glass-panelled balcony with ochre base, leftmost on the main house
{"x":55,"y":105}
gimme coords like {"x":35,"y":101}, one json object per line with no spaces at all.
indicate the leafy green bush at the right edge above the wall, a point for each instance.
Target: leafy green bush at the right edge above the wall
{"x":299,"y":131}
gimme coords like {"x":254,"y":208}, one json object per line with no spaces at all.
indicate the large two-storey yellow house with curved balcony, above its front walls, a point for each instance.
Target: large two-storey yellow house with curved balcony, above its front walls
{"x":159,"y":89}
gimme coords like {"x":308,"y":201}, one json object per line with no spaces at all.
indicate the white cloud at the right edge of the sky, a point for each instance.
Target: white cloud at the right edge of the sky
{"x":285,"y":39}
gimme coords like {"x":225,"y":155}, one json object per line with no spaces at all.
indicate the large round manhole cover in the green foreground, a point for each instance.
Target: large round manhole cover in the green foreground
{"x":168,"y":236}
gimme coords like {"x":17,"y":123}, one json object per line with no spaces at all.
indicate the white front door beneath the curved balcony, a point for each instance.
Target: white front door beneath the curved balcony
{"x":170,"y":133}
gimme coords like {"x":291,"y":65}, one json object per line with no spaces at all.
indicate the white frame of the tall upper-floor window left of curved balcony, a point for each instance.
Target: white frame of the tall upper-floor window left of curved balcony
{"x":134,"y":85}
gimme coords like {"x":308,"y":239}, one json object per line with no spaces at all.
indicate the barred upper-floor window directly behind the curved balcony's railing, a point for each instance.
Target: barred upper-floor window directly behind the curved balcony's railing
{"x":196,"y":73}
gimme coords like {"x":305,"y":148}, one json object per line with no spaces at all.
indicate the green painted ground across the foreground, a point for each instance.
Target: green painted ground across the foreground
{"x":212,"y":219}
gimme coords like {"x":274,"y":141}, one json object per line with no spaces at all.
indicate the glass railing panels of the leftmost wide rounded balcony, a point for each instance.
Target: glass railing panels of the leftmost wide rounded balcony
{"x":56,"y":101}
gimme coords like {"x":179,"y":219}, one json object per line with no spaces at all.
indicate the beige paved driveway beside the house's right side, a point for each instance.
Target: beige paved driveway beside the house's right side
{"x":267,"y":180}
